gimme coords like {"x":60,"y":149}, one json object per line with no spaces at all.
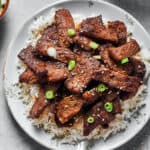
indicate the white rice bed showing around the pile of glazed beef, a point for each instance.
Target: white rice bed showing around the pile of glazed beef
{"x":75,"y":133}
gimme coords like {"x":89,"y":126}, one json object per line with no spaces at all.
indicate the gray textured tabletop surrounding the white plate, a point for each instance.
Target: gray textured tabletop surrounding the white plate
{"x":11,"y":136}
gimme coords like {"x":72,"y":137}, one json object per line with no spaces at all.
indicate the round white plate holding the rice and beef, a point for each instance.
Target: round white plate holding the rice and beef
{"x":85,"y":8}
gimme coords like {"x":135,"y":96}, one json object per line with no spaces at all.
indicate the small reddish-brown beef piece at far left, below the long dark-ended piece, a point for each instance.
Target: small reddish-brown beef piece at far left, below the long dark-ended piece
{"x":28,"y":76}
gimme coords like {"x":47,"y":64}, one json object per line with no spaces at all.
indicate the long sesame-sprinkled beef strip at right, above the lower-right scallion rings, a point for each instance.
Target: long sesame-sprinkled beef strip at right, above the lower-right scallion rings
{"x":117,"y":80}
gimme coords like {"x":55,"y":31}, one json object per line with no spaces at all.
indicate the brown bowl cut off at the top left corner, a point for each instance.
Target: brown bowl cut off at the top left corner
{"x":3,"y":7}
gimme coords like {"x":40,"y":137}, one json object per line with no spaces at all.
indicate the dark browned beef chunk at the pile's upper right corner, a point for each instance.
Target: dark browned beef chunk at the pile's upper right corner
{"x":119,"y":28}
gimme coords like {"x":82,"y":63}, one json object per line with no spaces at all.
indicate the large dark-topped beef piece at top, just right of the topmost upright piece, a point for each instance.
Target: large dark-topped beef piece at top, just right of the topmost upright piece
{"x":94,"y":28}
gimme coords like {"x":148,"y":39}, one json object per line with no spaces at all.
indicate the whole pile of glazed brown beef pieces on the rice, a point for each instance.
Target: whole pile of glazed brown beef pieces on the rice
{"x":76,"y":90}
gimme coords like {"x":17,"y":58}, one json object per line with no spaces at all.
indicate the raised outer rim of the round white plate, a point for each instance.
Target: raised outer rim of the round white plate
{"x":52,"y":4}
